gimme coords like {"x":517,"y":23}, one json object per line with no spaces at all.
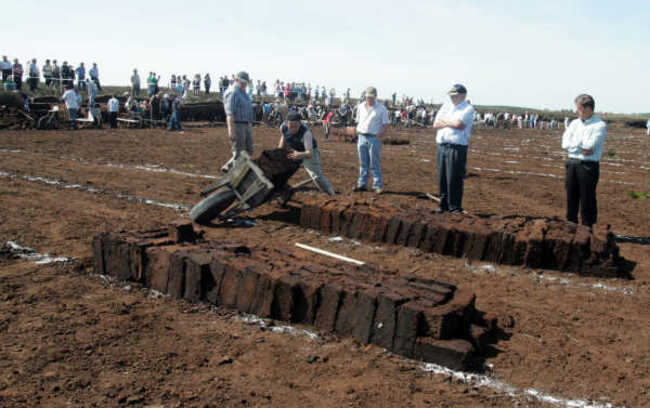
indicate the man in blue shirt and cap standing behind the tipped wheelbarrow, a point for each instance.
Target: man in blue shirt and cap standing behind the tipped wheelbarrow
{"x":239,"y":118}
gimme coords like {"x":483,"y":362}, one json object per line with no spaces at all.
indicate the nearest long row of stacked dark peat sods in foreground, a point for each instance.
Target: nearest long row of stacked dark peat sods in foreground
{"x":423,"y":319}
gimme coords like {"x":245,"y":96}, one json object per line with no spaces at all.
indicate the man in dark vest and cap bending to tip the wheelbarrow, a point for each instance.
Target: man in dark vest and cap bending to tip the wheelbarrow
{"x":297,"y":137}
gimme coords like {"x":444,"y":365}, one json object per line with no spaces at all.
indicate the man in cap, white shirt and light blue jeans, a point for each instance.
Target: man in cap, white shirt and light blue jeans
{"x":372,"y":118}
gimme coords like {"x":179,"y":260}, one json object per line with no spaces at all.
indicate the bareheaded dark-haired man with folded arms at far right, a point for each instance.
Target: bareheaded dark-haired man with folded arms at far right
{"x":583,"y":140}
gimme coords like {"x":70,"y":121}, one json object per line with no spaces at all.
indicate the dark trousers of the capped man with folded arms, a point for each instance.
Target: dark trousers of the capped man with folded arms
{"x":452,"y":161}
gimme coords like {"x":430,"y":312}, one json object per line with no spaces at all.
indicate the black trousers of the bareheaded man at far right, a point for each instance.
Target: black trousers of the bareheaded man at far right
{"x":581,"y":180}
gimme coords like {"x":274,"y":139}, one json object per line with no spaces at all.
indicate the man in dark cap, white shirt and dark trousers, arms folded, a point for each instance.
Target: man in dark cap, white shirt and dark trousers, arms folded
{"x":454,"y":123}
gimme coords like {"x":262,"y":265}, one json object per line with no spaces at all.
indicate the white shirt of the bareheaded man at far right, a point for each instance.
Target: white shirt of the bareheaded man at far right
{"x":587,"y":135}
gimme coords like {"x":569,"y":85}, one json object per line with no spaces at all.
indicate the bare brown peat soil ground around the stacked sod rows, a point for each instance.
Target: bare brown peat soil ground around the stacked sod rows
{"x":68,"y":338}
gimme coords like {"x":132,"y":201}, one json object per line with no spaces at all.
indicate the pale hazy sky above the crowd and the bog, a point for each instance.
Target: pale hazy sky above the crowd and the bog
{"x":537,"y":54}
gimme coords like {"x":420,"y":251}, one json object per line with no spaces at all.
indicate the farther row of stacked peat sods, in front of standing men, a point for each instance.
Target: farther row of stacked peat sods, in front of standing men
{"x":535,"y":243}
